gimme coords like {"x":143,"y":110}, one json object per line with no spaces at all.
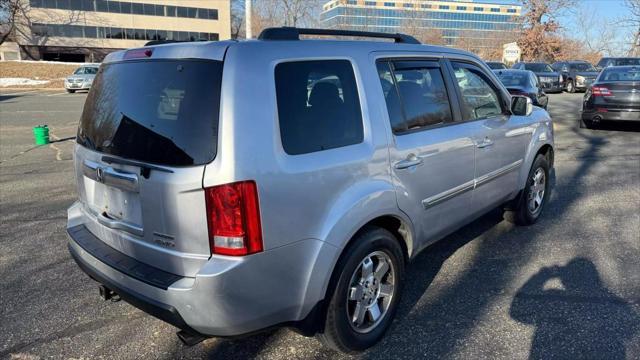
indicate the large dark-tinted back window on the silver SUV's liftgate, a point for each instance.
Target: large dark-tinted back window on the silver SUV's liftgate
{"x":157,"y":111}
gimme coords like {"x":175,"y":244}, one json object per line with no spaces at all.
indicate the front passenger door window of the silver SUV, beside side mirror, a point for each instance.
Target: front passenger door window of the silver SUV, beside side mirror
{"x":479,"y":97}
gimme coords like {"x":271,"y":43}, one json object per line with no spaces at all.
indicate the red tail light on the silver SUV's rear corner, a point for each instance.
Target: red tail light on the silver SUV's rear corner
{"x":233,"y":216}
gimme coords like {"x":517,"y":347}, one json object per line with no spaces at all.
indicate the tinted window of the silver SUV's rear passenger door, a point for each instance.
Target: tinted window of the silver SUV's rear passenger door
{"x":415,"y":94}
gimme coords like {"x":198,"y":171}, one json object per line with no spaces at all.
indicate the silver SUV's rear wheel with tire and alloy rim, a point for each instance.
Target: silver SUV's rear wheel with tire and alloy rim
{"x":340,"y":332}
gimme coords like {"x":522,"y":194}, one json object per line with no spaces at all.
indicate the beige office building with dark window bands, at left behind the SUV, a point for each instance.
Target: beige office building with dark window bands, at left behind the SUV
{"x":87,"y":30}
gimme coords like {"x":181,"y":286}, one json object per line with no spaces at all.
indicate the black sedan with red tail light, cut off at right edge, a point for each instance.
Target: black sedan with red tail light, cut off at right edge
{"x":615,"y":95}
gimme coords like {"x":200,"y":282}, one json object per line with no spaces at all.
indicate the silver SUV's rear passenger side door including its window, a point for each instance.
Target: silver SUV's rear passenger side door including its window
{"x":431,"y":152}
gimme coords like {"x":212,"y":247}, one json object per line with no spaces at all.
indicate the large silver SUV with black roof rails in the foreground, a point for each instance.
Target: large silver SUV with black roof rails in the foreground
{"x":227,"y":187}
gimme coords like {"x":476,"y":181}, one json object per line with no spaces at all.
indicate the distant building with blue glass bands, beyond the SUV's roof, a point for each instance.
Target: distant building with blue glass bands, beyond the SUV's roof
{"x":454,"y":19}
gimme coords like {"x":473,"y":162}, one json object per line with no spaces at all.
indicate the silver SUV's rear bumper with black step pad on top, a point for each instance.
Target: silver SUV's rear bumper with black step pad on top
{"x":229,"y":296}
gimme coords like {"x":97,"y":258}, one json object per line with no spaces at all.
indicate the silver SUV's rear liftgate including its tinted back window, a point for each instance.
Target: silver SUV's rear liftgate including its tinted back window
{"x":147,"y":131}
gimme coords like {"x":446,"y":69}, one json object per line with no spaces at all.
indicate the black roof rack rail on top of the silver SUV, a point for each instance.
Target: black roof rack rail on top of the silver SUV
{"x":293,"y":33}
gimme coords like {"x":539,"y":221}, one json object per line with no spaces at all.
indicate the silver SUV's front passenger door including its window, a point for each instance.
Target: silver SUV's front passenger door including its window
{"x":500,"y":141}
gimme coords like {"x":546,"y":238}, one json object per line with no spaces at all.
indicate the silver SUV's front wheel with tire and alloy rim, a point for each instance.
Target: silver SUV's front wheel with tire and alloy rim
{"x":526,"y":213}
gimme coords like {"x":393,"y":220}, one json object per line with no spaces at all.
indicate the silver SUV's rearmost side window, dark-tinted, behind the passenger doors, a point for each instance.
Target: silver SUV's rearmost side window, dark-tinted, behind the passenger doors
{"x":318,"y":105}
